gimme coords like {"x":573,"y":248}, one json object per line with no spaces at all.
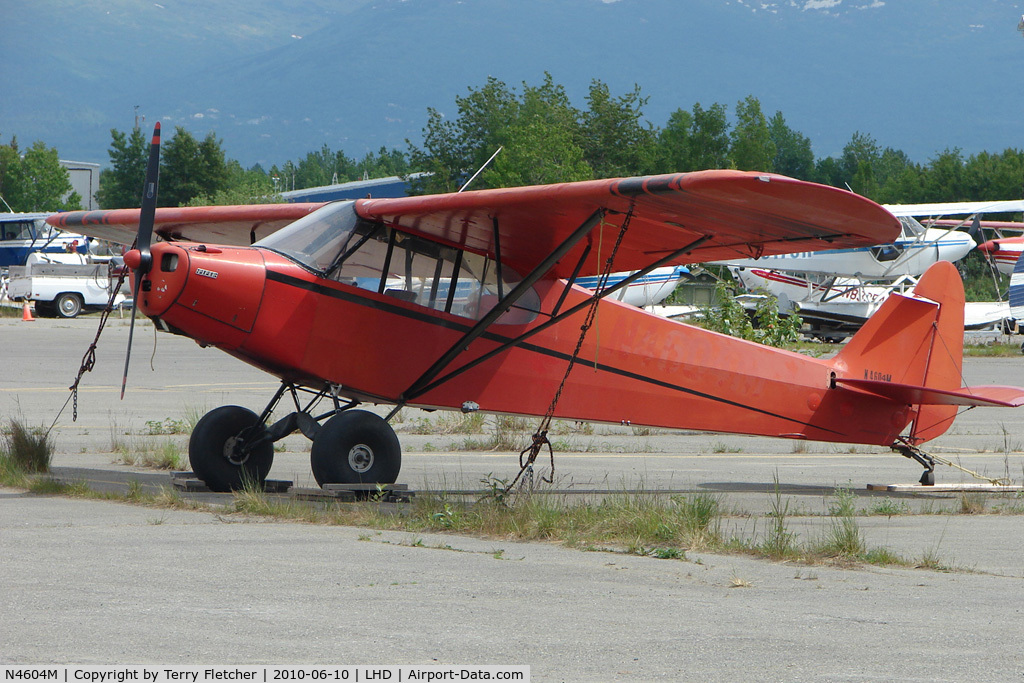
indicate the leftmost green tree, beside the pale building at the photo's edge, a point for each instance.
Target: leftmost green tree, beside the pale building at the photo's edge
{"x":36,"y":181}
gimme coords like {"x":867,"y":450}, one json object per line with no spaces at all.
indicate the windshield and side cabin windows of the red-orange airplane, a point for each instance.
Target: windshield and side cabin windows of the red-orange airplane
{"x":338,"y":245}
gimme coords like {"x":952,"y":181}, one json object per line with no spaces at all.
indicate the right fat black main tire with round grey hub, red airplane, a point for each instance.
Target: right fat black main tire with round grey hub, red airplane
{"x":356,"y":447}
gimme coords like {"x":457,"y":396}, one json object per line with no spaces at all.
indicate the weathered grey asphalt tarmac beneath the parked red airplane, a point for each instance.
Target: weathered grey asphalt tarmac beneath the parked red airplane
{"x":89,"y":582}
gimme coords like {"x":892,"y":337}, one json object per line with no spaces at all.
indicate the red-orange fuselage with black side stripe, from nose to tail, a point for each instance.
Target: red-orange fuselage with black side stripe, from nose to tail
{"x":635,"y":368}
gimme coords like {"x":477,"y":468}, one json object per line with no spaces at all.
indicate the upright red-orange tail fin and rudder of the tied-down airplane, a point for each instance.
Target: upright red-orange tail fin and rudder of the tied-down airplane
{"x":914,"y":343}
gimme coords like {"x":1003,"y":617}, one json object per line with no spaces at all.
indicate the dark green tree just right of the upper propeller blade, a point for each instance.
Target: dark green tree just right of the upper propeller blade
{"x":190,"y":168}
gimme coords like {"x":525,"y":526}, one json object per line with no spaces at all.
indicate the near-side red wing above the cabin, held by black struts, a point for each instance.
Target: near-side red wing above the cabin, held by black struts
{"x":743,"y":214}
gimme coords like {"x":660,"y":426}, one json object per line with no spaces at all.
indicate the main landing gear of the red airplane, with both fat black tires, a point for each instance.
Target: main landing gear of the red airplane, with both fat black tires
{"x":232,"y":446}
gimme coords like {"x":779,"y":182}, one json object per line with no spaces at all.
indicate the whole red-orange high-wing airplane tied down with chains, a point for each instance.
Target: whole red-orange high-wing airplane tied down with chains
{"x":466,"y":302}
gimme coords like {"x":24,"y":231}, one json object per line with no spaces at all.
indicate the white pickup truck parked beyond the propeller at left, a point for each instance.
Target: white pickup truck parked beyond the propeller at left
{"x":63,"y":285}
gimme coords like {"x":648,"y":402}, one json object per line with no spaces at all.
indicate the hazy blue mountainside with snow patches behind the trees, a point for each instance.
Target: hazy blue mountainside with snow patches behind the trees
{"x":277,"y":80}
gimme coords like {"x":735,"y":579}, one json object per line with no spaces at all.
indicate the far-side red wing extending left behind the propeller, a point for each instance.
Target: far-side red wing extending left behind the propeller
{"x":216,"y":225}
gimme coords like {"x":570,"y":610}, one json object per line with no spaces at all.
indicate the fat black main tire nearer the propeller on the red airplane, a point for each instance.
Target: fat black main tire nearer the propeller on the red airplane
{"x":216,"y":449}
